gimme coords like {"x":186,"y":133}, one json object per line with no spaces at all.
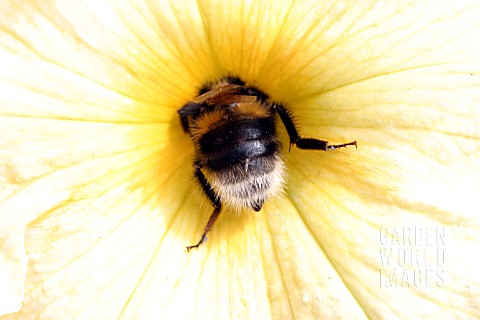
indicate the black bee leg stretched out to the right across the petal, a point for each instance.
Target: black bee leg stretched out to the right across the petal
{"x":304,"y":143}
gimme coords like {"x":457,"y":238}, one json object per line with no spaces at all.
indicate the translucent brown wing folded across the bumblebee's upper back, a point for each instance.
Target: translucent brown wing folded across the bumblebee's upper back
{"x":222,"y":95}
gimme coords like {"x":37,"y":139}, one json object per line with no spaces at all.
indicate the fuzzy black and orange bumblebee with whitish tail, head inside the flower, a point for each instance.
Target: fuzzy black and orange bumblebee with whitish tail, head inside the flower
{"x":233,"y":129}
